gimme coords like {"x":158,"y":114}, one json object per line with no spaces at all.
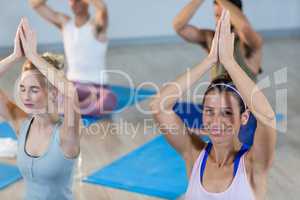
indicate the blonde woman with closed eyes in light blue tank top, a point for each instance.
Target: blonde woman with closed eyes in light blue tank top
{"x":48,"y":146}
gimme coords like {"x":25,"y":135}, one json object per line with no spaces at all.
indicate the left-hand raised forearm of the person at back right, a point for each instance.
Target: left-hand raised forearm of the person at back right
{"x":186,"y":14}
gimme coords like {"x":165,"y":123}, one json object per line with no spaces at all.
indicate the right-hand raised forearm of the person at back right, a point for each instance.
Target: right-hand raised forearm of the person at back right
{"x":238,"y":19}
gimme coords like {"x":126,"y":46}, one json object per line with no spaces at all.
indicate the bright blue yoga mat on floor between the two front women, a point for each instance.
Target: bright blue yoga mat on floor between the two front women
{"x":154,"y":169}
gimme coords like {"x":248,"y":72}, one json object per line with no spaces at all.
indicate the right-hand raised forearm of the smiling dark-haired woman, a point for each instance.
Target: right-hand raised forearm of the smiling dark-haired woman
{"x":254,"y":97}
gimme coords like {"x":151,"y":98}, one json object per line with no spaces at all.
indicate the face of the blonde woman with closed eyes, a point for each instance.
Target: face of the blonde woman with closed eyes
{"x":33,"y":93}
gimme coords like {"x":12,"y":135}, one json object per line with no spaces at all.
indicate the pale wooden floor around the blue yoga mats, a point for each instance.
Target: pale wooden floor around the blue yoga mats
{"x":159,"y":63}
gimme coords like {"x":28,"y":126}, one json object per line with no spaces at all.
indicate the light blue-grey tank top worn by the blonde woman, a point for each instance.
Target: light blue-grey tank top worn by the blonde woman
{"x":48,"y":177}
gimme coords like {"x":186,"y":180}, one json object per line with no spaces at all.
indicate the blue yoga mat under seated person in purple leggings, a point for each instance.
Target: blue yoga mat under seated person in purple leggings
{"x":125,"y":97}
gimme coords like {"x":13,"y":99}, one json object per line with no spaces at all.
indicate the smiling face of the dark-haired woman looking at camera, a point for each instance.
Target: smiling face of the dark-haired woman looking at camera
{"x":221,"y":116}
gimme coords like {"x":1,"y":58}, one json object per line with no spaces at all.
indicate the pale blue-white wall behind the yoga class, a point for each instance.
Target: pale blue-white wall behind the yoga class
{"x":148,"y":18}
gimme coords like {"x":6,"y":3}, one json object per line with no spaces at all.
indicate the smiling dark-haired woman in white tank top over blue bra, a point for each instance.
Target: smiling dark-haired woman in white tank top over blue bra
{"x":222,"y":169}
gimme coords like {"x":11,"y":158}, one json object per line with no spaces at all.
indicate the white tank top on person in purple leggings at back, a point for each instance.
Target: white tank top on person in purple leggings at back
{"x":86,"y":56}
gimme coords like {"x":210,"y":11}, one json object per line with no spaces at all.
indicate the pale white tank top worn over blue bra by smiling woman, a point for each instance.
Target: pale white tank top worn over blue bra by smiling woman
{"x":239,"y":188}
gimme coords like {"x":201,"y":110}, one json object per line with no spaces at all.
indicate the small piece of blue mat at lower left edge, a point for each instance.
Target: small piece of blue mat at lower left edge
{"x":8,"y":175}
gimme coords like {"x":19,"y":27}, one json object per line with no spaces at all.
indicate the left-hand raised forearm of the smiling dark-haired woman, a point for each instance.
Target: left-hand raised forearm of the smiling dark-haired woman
{"x":172,"y":91}
